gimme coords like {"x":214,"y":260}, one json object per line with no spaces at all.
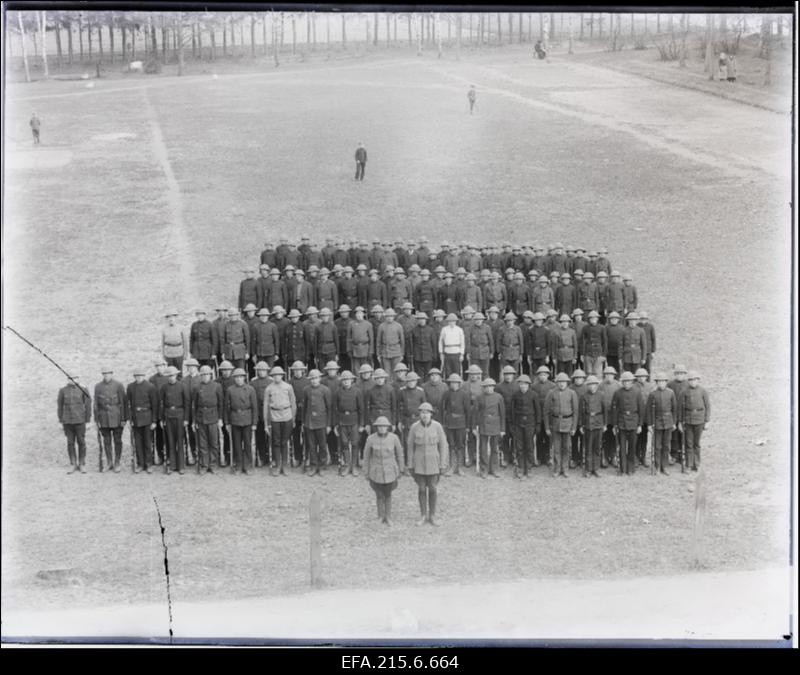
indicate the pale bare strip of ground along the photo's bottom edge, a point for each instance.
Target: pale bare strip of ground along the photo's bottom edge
{"x":734,"y":605}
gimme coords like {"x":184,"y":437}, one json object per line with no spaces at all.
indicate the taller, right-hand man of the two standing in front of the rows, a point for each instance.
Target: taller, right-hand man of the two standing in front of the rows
{"x":426,"y":445}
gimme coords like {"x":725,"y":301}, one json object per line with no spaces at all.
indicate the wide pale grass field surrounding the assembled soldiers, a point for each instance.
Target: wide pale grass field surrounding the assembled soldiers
{"x":690,"y":192}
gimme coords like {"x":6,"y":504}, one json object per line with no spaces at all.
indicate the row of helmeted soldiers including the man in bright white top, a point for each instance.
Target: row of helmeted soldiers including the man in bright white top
{"x":450,"y":341}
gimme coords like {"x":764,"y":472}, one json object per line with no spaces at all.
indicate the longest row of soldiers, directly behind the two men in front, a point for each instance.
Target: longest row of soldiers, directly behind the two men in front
{"x":313,"y":419}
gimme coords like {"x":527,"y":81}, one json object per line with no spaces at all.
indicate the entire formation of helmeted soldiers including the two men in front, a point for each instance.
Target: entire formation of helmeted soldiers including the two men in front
{"x":396,"y":359}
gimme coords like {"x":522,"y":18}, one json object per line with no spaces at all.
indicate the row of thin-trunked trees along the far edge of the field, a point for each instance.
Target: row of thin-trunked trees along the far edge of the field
{"x":69,"y":37}
